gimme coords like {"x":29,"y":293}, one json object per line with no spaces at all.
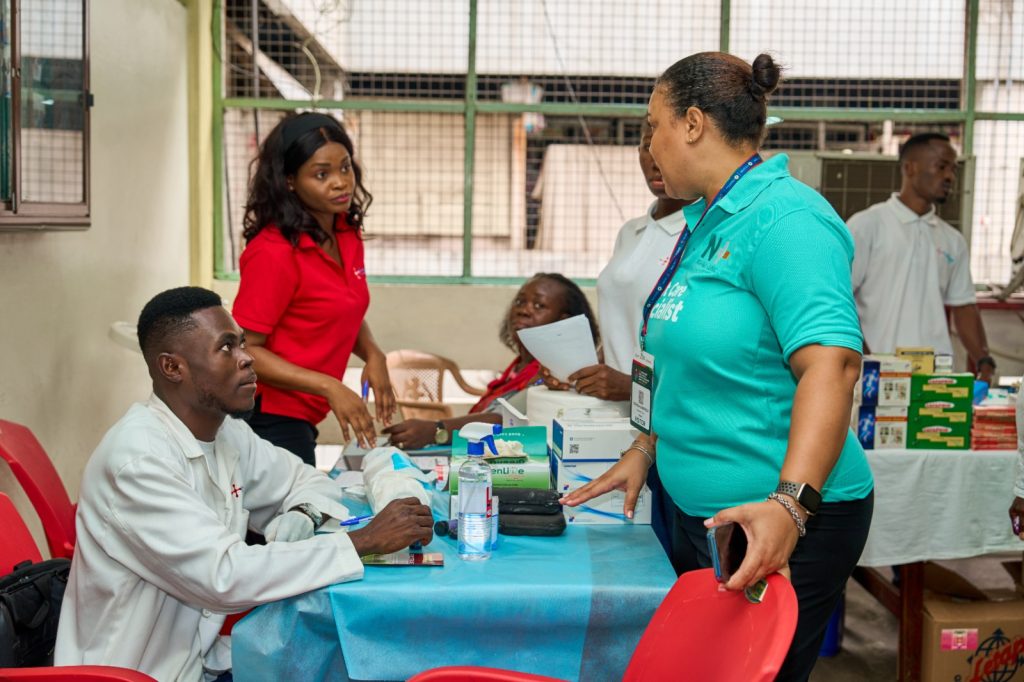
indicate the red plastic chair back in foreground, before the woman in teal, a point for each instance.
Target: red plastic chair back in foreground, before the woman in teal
{"x":700,"y":633}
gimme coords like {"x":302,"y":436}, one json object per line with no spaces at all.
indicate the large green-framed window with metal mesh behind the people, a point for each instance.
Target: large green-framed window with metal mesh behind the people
{"x":500,"y":139}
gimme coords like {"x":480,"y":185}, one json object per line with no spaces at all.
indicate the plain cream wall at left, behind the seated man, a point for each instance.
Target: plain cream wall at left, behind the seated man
{"x":60,"y":374}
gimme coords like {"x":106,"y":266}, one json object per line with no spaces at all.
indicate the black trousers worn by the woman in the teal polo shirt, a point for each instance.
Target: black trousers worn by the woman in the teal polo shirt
{"x":822,"y":565}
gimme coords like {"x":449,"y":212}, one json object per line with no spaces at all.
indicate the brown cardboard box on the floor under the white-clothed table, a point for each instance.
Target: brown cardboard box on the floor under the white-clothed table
{"x":970,"y":635}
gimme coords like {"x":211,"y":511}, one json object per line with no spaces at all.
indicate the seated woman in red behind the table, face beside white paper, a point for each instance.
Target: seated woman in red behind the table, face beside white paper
{"x":544,"y":300}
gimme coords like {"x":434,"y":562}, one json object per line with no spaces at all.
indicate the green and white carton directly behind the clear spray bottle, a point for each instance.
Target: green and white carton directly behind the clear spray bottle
{"x":530,"y":468}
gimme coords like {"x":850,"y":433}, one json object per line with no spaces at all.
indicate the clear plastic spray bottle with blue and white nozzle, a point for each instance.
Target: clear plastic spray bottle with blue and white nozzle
{"x":476,"y":494}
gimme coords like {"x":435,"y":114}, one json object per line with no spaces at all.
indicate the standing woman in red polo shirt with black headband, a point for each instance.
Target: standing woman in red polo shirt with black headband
{"x":304,"y":292}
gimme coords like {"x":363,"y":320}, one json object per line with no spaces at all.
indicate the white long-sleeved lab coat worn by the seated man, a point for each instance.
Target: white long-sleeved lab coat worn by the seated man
{"x":161,"y":556}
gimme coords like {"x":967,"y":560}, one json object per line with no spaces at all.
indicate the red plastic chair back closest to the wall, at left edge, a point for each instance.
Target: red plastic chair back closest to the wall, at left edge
{"x":34,"y":471}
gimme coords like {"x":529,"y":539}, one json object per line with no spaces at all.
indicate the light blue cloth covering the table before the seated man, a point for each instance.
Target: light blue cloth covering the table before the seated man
{"x":572,"y":607}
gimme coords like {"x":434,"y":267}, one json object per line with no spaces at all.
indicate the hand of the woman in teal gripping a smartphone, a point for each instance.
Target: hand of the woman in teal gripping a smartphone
{"x":772,"y":537}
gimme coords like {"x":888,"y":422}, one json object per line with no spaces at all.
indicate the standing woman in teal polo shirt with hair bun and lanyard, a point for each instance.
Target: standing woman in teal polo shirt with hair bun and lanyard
{"x":756,"y":349}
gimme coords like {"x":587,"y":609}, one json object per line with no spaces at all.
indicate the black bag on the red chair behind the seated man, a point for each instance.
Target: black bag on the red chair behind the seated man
{"x":30,"y":607}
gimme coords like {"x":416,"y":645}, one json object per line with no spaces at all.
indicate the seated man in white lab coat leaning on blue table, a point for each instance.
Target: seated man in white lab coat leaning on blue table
{"x":168,"y":496}
